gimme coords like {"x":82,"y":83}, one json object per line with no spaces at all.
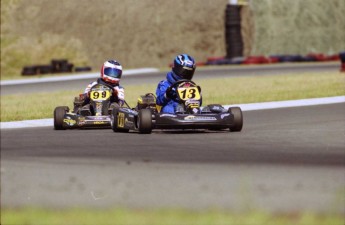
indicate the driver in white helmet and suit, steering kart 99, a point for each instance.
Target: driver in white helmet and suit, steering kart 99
{"x":111,"y":73}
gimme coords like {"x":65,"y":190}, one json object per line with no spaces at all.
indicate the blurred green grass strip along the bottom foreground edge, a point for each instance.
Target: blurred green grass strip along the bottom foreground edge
{"x":37,"y":216}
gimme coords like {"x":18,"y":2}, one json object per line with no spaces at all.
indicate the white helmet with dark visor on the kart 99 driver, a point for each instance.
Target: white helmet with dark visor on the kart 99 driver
{"x":111,"y":71}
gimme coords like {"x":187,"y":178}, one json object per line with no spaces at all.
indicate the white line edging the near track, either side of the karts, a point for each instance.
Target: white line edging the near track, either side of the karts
{"x":244,"y":107}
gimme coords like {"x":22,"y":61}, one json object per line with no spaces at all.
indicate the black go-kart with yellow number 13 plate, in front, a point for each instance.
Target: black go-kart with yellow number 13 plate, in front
{"x":189,"y":114}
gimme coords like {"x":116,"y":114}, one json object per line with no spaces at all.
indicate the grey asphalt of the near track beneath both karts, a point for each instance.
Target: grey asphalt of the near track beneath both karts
{"x":284,"y":160}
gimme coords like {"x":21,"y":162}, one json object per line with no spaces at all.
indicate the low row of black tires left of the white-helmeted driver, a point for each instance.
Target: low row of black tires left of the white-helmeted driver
{"x":56,"y":66}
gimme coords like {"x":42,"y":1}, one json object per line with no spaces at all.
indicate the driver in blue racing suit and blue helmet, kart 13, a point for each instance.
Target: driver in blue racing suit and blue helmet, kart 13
{"x":183,"y":68}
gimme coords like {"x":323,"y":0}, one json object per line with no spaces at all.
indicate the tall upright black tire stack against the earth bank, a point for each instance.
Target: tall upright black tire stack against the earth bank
{"x":233,"y":36}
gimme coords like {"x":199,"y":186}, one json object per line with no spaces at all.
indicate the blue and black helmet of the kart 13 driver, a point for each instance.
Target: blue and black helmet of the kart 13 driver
{"x":184,"y":66}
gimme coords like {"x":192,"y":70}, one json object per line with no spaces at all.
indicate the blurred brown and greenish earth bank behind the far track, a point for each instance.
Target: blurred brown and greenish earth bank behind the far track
{"x":150,"y":33}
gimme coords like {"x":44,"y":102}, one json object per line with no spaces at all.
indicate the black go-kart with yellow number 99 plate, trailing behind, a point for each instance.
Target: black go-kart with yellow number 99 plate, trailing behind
{"x":96,"y":114}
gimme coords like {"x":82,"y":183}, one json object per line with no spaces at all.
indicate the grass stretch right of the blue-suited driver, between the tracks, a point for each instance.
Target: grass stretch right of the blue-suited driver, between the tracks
{"x":273,"y":88}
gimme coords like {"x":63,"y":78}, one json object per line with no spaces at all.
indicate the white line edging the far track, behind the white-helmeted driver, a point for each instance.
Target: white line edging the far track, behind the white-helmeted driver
{"x":74,"y":77}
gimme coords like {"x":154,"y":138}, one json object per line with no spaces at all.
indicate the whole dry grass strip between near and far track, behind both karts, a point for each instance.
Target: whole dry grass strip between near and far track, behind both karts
{"x":223,"y":91}
